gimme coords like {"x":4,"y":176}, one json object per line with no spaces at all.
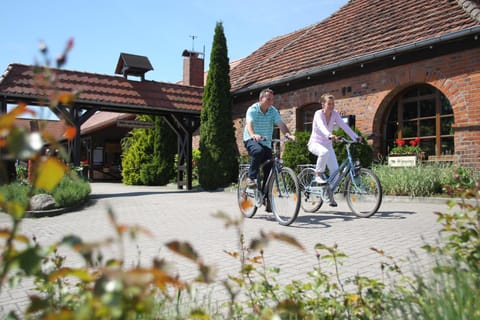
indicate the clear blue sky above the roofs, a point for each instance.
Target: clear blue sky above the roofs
{"x":160,"y":30}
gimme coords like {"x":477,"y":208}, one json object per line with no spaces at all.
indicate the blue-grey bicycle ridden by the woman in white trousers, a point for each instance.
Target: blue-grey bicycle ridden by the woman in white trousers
{"x":362,"y":188}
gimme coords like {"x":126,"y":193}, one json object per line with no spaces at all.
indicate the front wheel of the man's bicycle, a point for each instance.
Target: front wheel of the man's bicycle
{"x":284,"y":195}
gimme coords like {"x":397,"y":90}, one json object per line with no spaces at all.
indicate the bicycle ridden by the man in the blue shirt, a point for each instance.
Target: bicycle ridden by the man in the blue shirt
{"x":280,"y":191}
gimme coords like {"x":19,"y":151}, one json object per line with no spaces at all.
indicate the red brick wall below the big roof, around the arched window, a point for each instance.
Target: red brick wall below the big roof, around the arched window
{"x":457,"y":76}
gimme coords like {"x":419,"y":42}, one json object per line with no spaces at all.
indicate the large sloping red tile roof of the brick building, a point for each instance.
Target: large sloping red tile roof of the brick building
{"x":359,"y":28}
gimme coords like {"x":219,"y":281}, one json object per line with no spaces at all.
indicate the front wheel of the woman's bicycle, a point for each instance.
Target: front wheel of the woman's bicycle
{"x":363,"y":193}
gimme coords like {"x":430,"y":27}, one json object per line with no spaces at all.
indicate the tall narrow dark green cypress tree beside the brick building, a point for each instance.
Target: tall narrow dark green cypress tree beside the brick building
{"x":218,"y":164}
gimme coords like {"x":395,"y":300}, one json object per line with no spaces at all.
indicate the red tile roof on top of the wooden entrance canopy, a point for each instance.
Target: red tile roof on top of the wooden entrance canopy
{"x":106,"y":91}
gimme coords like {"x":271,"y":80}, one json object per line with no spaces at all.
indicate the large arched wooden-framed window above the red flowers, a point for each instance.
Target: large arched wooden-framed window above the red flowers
{"x":424,"y":112}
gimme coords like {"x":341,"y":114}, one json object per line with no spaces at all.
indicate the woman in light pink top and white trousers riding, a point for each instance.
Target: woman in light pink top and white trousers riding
{"x":320,"y":142}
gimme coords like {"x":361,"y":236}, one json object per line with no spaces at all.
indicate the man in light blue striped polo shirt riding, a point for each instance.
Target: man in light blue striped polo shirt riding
{"x":260,"y":120}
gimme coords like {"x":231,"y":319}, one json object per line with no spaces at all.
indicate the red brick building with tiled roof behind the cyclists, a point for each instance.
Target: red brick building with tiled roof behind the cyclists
{"x":404,"y":69}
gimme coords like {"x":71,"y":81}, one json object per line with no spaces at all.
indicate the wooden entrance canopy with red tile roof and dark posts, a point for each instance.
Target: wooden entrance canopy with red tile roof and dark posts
{"x":179,"y":105}
